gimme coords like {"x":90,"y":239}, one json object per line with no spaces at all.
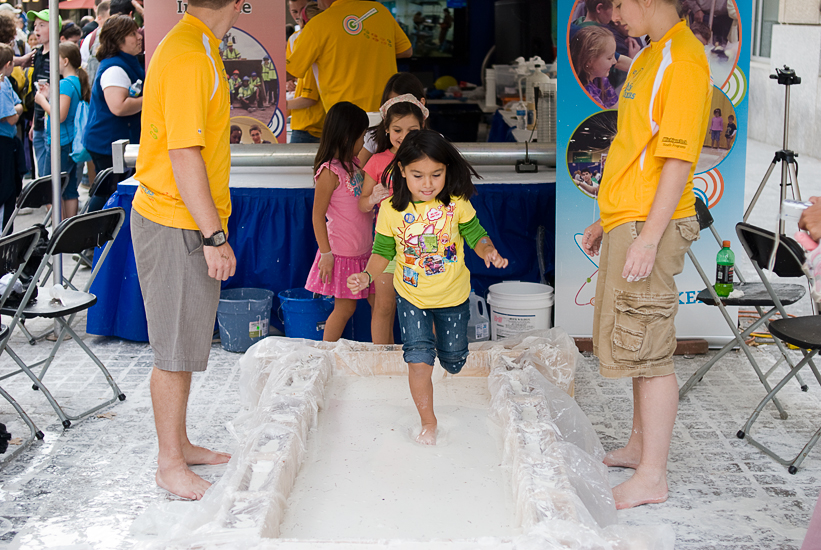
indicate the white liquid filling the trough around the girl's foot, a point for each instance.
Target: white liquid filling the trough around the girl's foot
{"x":365,"y":478}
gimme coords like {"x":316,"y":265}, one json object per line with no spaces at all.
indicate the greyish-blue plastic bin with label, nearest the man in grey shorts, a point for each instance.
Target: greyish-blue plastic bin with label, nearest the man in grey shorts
{"x":243,"y":315}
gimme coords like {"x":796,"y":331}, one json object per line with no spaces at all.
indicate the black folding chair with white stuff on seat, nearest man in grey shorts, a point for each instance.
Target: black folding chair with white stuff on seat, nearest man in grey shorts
{"x":71,"y":236}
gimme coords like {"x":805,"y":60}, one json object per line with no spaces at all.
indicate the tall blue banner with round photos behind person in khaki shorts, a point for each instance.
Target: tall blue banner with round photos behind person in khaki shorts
{"x":594,"y":55}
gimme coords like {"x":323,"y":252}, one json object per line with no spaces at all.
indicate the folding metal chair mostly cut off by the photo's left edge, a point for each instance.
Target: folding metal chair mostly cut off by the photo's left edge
{"x":15,"y":250}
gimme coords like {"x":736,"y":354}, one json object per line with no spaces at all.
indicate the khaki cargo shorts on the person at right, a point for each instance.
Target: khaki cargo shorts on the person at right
{"x":634,"y":332}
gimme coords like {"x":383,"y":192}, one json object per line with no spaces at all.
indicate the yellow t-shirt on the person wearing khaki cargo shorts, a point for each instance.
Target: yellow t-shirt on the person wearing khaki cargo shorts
{"x":664,"y":110}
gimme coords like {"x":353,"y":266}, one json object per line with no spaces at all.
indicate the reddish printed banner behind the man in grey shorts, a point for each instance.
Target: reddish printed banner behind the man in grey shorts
{"x":254,"y":56}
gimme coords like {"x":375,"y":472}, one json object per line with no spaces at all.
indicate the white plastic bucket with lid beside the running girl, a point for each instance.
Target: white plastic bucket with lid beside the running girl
{"x":517,"y":307}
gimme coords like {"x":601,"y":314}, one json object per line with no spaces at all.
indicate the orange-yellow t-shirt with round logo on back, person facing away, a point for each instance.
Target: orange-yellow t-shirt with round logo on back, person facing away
{"x":354,"y":45}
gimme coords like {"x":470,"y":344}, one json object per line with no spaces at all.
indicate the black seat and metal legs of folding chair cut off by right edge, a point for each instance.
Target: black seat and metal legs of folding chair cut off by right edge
{"x":804,"y":333}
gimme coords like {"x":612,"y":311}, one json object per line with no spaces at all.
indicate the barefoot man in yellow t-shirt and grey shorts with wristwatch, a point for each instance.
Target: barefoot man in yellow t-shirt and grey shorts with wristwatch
{"x":178,"y":222}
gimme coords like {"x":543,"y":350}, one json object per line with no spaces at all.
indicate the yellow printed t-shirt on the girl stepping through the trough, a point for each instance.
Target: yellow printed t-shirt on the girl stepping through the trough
{"x":430,"y":251}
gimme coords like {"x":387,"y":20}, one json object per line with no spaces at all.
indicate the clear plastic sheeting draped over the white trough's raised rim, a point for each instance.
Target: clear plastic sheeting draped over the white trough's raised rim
{"x":553,"y":456}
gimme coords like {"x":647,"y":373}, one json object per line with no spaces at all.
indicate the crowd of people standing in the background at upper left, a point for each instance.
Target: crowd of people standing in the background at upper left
{"x":100,"y":64}
